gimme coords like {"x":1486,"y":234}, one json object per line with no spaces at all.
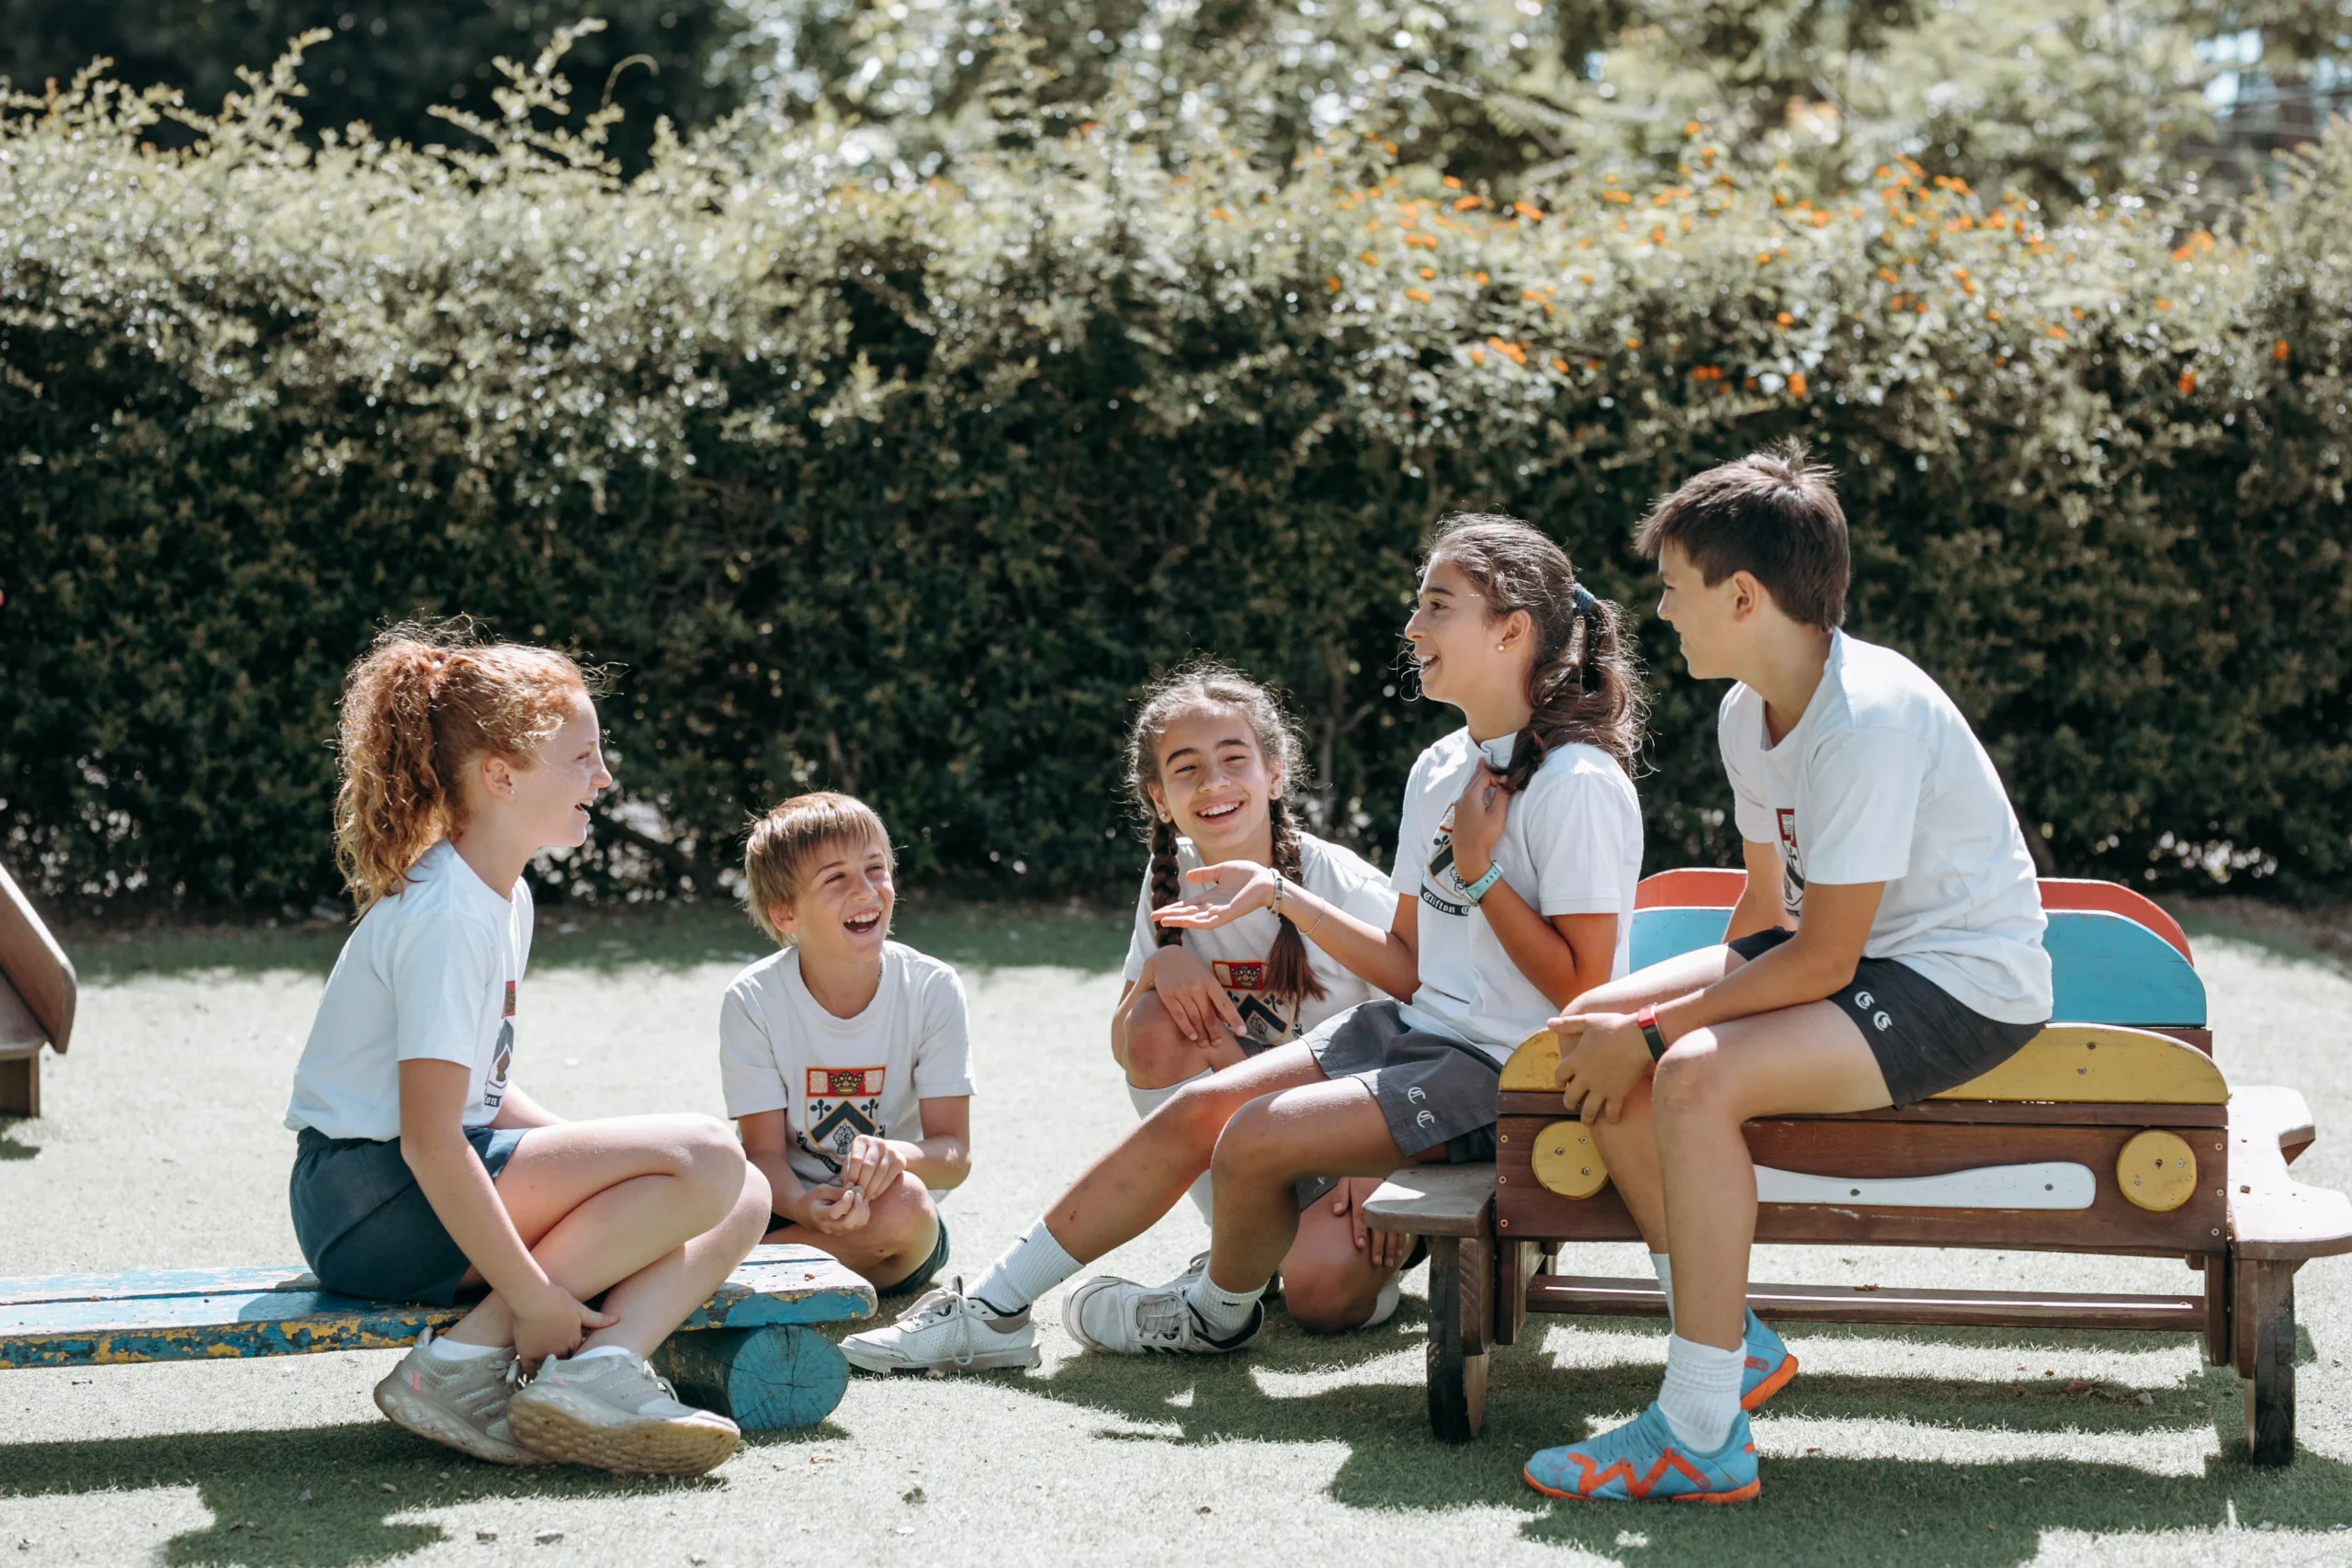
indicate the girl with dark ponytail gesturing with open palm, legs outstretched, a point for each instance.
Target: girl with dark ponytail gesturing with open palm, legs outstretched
{"x":1514,"y":894}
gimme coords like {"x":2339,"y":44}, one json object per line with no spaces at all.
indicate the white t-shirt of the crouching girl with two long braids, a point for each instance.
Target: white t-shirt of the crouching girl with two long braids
{"x":1238,"y":953}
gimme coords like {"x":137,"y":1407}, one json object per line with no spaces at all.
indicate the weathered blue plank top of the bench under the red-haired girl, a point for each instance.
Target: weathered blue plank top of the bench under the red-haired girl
{"x":187,"y":1315}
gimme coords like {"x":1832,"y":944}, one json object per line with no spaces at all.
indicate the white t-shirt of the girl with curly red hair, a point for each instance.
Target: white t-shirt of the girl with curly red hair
{"x":429,"y":972}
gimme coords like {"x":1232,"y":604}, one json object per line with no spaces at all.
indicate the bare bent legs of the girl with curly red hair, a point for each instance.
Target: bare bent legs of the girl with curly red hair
{"x":653,"y":1209}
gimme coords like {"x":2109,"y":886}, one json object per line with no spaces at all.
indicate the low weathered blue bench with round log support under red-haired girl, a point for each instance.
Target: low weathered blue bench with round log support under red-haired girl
{"x":747,"y":1353}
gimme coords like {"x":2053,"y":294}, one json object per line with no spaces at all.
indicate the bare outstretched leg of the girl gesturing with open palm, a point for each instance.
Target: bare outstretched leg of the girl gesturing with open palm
{"x":1130,"y":1188}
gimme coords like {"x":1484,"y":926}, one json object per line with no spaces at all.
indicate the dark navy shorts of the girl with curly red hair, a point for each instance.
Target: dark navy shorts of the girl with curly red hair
{"x":368,"y":1228}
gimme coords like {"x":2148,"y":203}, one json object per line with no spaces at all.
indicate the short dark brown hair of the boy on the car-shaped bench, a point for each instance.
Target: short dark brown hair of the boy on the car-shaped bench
{"x":1772,"y":516}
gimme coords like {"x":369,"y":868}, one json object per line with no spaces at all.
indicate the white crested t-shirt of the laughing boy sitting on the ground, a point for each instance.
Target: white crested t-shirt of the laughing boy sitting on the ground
{"x":838,"y":1078}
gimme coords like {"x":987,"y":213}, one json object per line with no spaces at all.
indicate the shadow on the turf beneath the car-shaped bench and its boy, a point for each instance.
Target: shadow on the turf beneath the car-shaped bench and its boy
{"x":1815,"y":1508}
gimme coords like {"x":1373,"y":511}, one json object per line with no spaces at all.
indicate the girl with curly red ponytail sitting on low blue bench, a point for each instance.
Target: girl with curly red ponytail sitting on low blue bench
{"x":422,"y":1170}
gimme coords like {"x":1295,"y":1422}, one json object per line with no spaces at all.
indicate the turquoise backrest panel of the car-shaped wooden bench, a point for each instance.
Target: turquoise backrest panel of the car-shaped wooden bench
{"x":2104,"y":967}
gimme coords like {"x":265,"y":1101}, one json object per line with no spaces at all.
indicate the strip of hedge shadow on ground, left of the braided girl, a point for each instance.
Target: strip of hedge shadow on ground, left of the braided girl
{"x":601,"y":942}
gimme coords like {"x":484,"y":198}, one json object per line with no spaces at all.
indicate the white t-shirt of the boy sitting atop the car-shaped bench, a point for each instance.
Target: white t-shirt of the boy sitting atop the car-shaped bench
{"x":1885,"y":782}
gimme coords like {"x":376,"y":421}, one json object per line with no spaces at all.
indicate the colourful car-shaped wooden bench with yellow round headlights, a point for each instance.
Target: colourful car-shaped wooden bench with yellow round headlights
{"x":2102,"y":1137}
